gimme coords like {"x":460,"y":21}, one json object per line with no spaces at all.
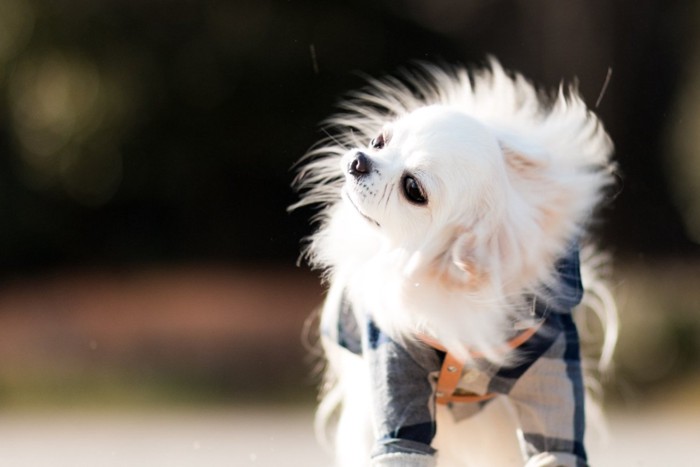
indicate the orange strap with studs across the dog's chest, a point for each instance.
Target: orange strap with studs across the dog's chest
{"x":446,"y":389}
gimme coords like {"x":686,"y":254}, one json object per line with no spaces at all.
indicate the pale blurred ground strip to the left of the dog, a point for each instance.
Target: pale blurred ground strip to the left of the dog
{"x":222,"y":437}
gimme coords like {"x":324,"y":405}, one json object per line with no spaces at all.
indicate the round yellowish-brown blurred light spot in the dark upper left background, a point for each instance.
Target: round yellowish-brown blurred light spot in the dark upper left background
{"x":64,"y":125}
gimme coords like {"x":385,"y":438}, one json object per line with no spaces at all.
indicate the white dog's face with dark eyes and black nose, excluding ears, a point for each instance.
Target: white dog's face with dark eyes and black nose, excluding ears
{"x":427,"y":177}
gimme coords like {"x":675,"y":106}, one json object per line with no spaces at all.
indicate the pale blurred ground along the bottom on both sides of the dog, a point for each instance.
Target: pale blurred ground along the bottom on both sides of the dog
{"x":274,"y":437}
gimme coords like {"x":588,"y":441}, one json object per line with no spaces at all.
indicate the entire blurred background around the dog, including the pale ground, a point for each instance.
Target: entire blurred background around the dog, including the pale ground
{"x":151,"y":308}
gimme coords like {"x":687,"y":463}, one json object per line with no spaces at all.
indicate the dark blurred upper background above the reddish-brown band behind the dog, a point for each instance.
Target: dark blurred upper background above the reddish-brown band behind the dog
{"x":165,"y":131}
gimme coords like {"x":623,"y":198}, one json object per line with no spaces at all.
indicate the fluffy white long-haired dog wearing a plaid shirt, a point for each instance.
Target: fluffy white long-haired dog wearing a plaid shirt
{"x":454,"y":210}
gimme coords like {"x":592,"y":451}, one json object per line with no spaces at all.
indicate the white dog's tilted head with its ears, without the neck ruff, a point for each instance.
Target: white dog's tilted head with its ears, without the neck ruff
{"x":441,"y":186}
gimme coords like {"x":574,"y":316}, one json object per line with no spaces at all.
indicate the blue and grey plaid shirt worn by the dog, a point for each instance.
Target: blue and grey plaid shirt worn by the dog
{"x":545,"y":386}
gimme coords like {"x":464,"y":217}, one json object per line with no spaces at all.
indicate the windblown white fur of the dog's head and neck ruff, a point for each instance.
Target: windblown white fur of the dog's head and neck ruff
{"x":446,"y":197}
